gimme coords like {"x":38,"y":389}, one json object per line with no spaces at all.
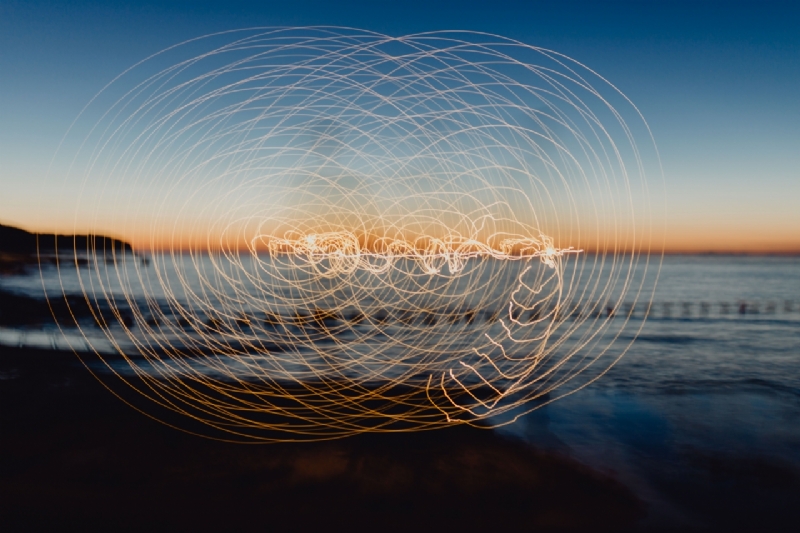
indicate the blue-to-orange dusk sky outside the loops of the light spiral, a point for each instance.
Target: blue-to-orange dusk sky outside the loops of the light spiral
{"x":717,"y":83}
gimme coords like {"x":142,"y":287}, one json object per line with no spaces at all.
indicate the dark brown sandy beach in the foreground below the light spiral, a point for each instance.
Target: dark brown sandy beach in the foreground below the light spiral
{"x":73,"y":457}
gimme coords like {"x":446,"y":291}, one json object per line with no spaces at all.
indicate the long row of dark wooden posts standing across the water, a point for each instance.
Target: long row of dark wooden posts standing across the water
{"x":327,"y":318}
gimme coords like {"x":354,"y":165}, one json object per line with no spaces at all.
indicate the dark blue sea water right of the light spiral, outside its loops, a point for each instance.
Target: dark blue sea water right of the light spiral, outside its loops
{"x":702,"y":415}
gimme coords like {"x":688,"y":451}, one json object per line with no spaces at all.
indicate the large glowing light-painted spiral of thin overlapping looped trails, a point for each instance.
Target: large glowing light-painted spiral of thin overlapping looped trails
{"x":337,"y":231}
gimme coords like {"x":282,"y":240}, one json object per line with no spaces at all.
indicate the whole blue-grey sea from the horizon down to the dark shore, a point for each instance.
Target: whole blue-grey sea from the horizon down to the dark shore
{"x":699,"y":412}
